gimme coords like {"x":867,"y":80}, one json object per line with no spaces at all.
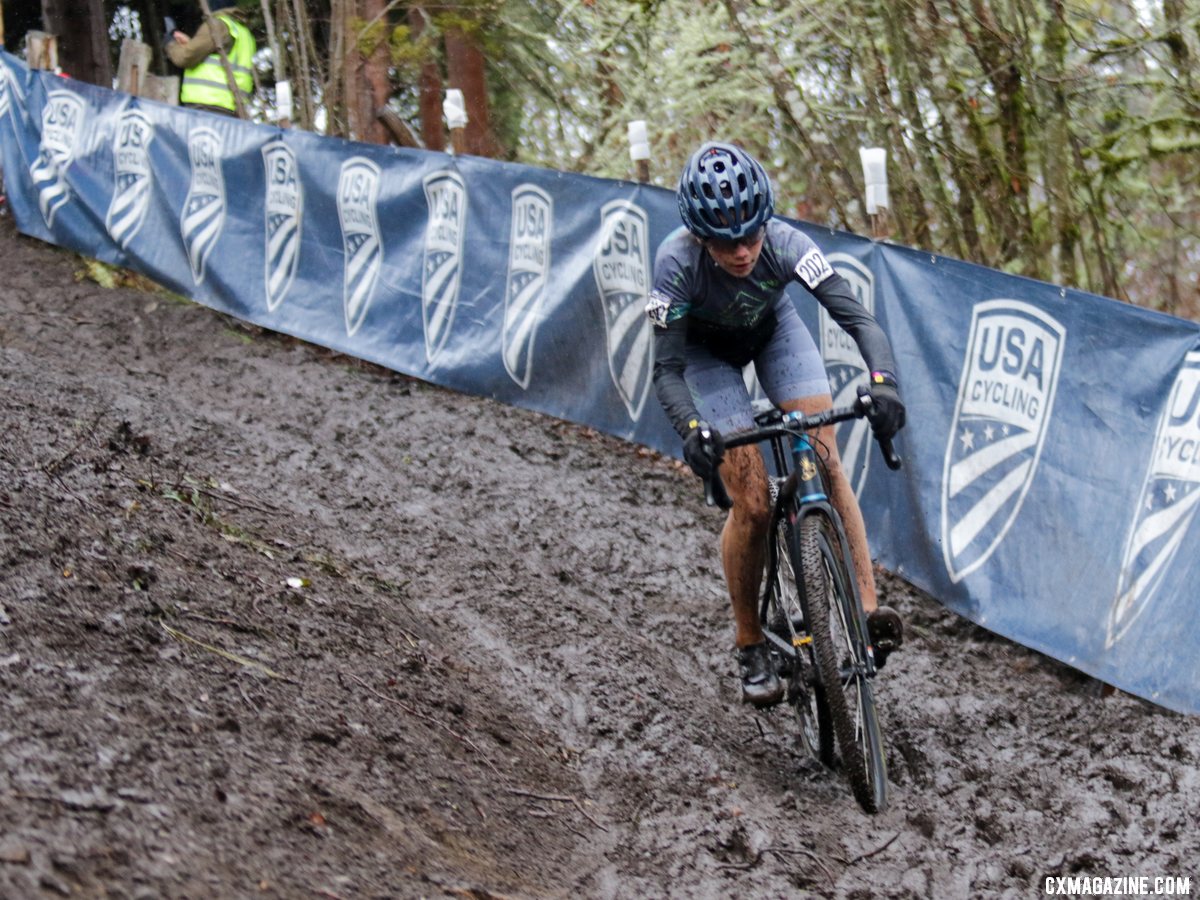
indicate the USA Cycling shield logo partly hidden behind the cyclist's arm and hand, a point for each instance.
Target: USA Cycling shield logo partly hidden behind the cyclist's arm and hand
{"x":848,"y":370}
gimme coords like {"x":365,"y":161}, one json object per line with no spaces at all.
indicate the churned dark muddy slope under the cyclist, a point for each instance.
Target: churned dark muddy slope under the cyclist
{"x":275,"y":623}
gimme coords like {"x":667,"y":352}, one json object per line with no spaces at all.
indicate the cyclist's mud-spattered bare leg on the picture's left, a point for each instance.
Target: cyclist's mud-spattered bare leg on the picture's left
{"x":743,"y":538}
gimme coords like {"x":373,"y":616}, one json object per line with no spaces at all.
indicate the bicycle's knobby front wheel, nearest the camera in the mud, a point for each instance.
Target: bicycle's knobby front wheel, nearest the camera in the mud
{"x":839,"y":639}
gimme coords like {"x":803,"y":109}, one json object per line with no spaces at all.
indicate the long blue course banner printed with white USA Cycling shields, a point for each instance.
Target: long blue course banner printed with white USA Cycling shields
{"x":1053,"y":454}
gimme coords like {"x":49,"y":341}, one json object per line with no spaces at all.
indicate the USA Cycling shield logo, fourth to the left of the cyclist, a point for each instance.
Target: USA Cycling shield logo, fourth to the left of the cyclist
{"x":358,"y":193}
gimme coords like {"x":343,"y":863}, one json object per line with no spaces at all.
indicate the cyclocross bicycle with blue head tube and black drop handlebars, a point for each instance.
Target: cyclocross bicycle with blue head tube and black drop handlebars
{"x":811,"y":609}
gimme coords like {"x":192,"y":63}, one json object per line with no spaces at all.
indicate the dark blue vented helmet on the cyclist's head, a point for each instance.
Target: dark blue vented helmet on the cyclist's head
{"x":724,"y":194}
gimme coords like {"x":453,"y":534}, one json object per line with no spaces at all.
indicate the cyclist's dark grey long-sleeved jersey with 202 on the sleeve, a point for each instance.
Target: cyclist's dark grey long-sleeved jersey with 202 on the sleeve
{"x":693,"y":296}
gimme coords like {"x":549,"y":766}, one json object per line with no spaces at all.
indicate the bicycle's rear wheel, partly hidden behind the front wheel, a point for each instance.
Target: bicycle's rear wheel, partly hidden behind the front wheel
{"x":784,"y":615}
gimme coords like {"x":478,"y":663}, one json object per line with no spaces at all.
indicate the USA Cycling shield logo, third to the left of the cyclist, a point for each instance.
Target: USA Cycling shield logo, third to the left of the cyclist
{"x":442,"y":273}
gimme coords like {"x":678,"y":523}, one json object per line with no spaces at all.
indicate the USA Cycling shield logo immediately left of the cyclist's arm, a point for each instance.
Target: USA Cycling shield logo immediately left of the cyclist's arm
{"x":622,"y":269}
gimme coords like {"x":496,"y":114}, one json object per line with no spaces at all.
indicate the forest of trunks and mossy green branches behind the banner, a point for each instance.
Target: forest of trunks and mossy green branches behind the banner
{"x":1048,"y":139}
